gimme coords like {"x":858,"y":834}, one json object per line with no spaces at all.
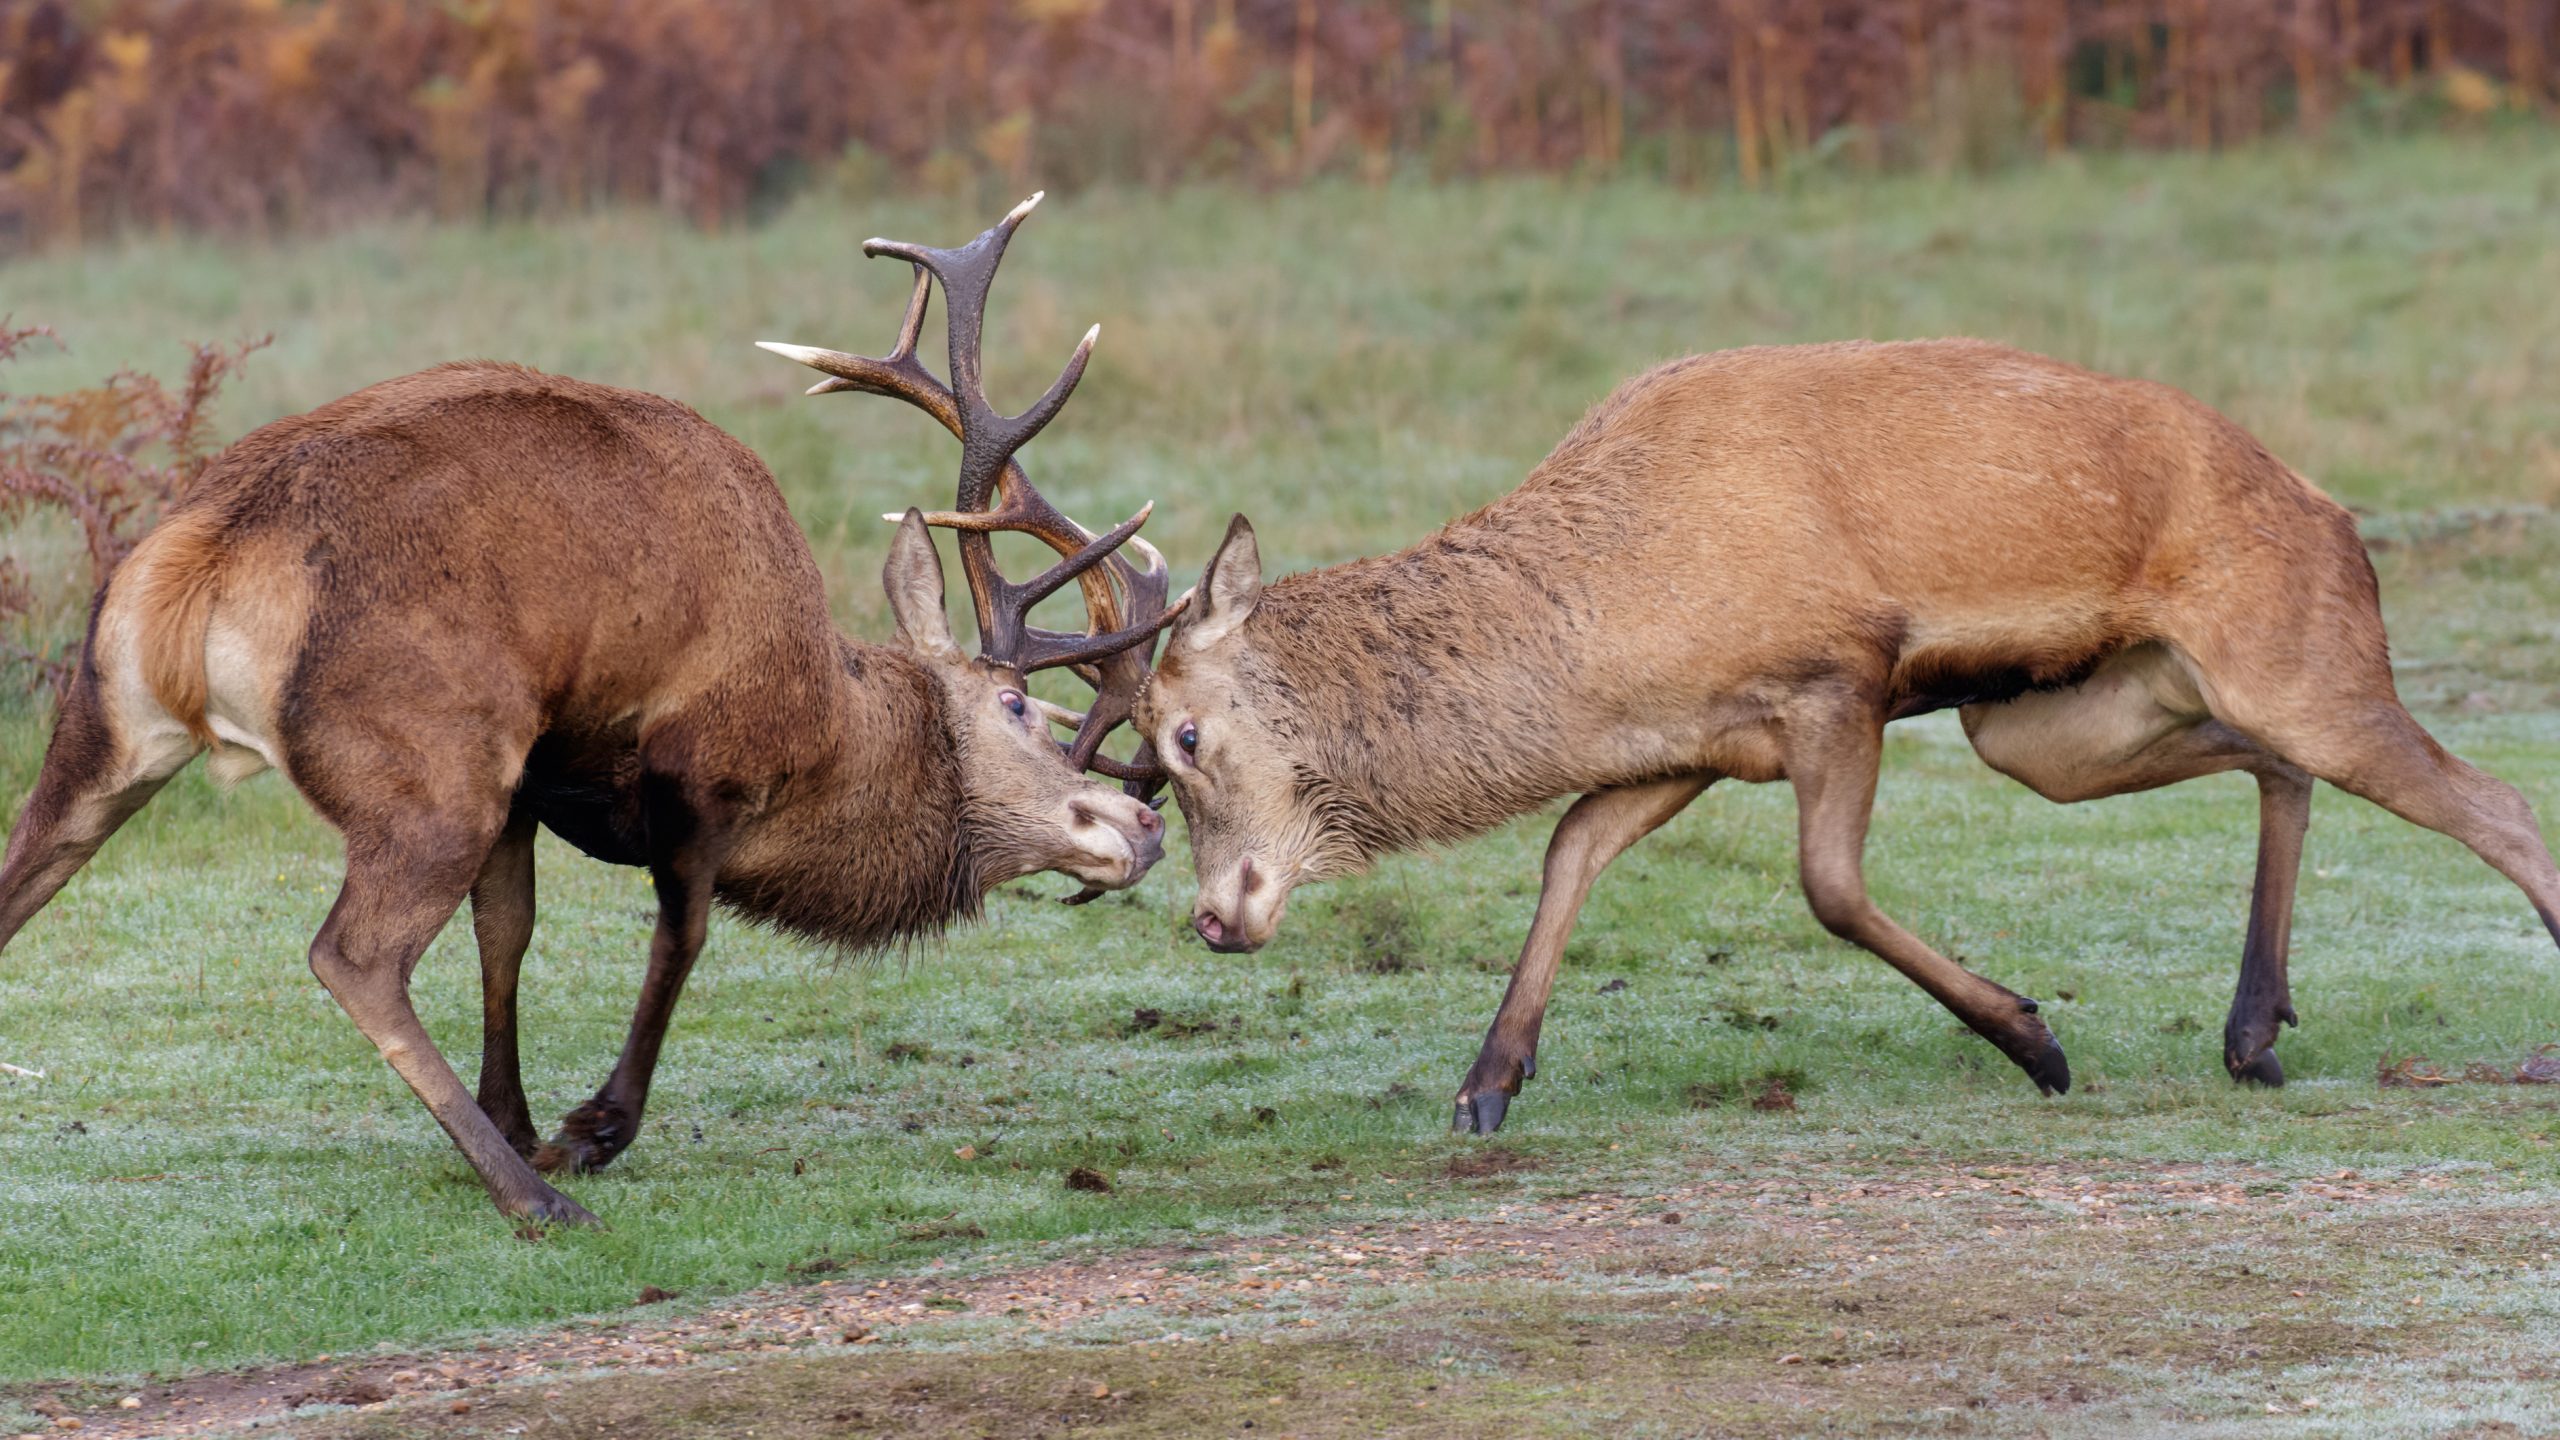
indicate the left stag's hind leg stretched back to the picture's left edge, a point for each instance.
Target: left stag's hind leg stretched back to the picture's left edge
{"x":88,"y":788}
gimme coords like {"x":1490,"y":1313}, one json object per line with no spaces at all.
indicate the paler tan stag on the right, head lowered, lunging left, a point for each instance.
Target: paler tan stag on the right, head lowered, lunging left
{"x":1745,"y":565}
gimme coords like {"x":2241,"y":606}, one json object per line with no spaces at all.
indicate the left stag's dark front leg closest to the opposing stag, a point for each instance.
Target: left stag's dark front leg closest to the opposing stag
{"x":605,"y":1126}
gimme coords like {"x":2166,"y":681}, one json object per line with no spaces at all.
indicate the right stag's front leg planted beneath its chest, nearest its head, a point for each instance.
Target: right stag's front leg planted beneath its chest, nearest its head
{"x":1594,"y":834}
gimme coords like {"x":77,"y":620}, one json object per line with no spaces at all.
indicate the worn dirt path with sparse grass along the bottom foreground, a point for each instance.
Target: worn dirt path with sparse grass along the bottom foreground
{"x":1914,"y":1293}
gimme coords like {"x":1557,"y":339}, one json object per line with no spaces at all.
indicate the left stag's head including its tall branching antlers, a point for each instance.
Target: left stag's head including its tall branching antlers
{"x":1028,"y":796}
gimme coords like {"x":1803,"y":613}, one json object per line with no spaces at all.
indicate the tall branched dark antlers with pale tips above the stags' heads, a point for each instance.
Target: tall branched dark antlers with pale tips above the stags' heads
{"x":1117,"y":650}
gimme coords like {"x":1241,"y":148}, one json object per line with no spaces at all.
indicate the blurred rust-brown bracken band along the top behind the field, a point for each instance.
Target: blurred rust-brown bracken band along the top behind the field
{"x":283,"y":114}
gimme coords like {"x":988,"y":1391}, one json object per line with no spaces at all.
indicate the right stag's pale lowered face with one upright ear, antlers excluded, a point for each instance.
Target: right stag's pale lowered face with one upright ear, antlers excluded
{"x":1243,"y":770}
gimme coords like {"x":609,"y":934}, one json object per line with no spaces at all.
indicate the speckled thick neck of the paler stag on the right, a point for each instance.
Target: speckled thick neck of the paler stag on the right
{"x":1435,"y":688}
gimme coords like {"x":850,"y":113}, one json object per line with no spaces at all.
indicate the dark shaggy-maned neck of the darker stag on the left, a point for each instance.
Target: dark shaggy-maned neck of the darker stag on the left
{"x":872,"y":844}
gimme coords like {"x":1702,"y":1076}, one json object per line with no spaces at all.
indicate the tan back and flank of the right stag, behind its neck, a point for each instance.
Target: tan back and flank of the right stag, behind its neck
{"x":1952,"y":496}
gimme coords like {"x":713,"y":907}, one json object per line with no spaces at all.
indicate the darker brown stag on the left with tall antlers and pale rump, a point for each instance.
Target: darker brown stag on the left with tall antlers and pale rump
{"x":480,"y":598}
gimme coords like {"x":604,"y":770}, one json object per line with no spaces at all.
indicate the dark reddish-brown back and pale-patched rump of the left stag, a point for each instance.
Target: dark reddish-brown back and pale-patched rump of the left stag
{"x":580,"y":550}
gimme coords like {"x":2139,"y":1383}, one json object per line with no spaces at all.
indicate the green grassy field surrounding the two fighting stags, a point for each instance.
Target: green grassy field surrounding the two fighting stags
{"x":221,"y":1172}
